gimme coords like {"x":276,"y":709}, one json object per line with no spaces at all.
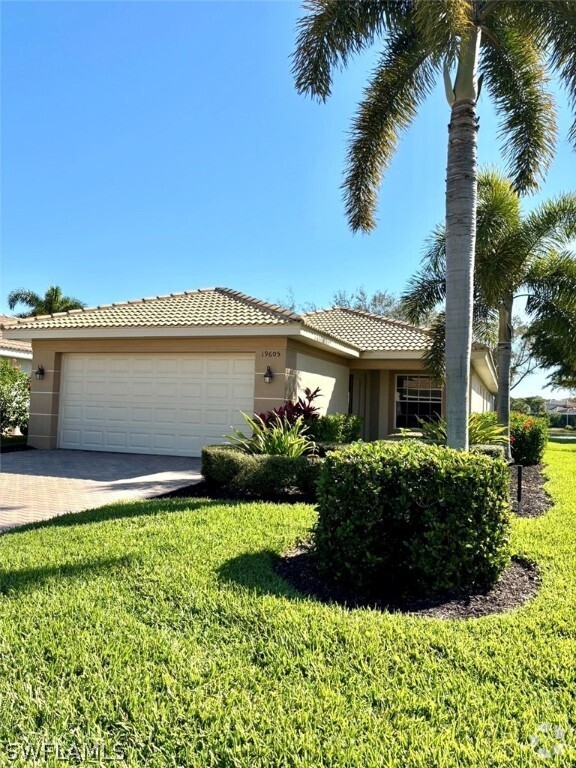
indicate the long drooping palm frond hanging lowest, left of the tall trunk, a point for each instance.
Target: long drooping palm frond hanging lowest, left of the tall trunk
{"x":403,"y":78}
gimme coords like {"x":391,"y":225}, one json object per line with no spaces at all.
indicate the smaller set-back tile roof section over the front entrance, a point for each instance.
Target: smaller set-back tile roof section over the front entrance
{"x":368,"y":332}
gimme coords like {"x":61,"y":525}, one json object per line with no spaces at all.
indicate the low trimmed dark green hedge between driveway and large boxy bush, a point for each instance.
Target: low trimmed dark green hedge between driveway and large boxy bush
{"x":259,"y":476}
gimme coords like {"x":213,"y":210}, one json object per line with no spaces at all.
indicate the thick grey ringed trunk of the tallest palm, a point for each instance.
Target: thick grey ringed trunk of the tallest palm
{"x":461,"y":185}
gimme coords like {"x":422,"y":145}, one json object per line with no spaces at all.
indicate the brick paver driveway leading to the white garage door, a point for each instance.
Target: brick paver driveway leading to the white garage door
{"x":37,"y":485}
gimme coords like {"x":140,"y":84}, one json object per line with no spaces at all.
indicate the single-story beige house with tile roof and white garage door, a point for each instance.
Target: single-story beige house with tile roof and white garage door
{"x":172,"y":373}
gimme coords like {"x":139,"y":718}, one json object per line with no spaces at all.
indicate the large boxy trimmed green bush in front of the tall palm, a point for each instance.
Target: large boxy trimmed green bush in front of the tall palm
{"x":407,"y":518}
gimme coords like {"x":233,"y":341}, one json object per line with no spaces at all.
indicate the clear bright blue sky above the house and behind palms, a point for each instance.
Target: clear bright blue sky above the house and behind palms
{"x":152,"y":147}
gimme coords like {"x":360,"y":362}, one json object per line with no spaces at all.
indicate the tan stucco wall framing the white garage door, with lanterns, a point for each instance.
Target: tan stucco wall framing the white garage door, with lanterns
{"x":45,"y":394}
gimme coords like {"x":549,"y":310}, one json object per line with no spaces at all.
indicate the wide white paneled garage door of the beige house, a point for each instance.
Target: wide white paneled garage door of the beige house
{"x":157,"y":403}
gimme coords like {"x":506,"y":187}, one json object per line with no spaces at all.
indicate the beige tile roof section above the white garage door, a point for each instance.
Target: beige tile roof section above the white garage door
{"x":203,"y":307}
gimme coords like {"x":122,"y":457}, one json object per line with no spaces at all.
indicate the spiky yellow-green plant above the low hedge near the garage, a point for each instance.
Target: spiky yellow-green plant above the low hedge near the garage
{"x":276,"y":437}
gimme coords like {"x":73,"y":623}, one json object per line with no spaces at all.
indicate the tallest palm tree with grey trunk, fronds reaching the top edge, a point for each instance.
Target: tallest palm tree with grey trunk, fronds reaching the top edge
{"x":511,"y":46}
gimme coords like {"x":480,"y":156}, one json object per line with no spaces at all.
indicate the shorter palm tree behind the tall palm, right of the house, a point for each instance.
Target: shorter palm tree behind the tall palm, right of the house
{"x":515,"y":256}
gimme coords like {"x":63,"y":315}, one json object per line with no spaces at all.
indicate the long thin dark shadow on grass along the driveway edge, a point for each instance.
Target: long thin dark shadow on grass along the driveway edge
{"x":142,"y":508}
